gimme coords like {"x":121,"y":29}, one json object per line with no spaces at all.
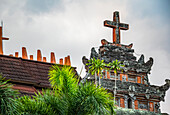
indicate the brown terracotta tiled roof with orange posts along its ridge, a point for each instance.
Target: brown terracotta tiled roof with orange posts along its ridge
{"x":27,"y":75}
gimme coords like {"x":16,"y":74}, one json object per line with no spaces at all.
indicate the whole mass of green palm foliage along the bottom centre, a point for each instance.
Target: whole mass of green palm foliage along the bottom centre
{"x":67,"y":97}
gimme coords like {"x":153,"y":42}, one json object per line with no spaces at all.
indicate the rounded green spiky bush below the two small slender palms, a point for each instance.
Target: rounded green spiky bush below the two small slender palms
{"x":94,"y":100}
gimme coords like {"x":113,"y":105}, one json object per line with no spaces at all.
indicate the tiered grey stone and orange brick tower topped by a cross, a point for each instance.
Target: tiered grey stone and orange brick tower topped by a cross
{"x":134,"y":90}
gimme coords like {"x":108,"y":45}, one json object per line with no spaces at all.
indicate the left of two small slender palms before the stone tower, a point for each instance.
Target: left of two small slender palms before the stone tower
{"x":95,"y":68}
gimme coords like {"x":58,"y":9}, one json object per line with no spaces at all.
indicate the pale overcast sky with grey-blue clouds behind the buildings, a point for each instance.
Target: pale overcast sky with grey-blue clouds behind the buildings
{"x":72,"y":27}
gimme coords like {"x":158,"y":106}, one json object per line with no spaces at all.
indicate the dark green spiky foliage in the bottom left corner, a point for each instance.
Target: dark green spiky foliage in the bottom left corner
{"x":7,"y":103}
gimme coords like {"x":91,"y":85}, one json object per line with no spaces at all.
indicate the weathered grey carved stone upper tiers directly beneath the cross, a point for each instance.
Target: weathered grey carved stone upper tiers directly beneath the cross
{"x":109,"y":52}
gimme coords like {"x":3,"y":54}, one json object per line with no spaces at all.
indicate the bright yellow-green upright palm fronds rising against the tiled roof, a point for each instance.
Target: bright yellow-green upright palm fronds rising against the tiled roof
{"x":63,"y":79}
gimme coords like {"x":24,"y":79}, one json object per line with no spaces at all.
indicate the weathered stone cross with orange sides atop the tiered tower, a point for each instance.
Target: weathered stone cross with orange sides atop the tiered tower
{"x":116,"y":25}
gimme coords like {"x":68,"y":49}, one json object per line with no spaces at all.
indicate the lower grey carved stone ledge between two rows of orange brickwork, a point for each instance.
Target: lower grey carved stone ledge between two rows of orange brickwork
{"x":136,"y":89}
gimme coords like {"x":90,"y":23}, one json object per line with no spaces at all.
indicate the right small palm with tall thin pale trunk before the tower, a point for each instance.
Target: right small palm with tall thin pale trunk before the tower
{"x":116,"y":66}
